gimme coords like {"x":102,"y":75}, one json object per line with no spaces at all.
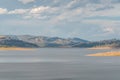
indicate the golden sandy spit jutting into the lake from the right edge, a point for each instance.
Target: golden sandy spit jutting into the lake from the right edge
{"x":105,"y":54}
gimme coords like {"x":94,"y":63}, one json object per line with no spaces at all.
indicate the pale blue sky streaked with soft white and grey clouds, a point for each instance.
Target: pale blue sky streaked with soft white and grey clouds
{"x":86,"y":19}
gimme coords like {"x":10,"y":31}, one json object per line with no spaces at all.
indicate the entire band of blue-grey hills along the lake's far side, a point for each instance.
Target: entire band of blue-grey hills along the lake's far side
{"x":42,"y":41}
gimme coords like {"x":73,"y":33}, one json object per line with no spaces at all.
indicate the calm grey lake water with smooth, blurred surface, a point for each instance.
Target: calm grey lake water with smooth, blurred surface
{"x":58,"y":64}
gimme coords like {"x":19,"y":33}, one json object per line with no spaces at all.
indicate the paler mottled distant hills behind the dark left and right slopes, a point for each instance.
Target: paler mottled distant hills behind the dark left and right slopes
{"x":43,"y":41}
